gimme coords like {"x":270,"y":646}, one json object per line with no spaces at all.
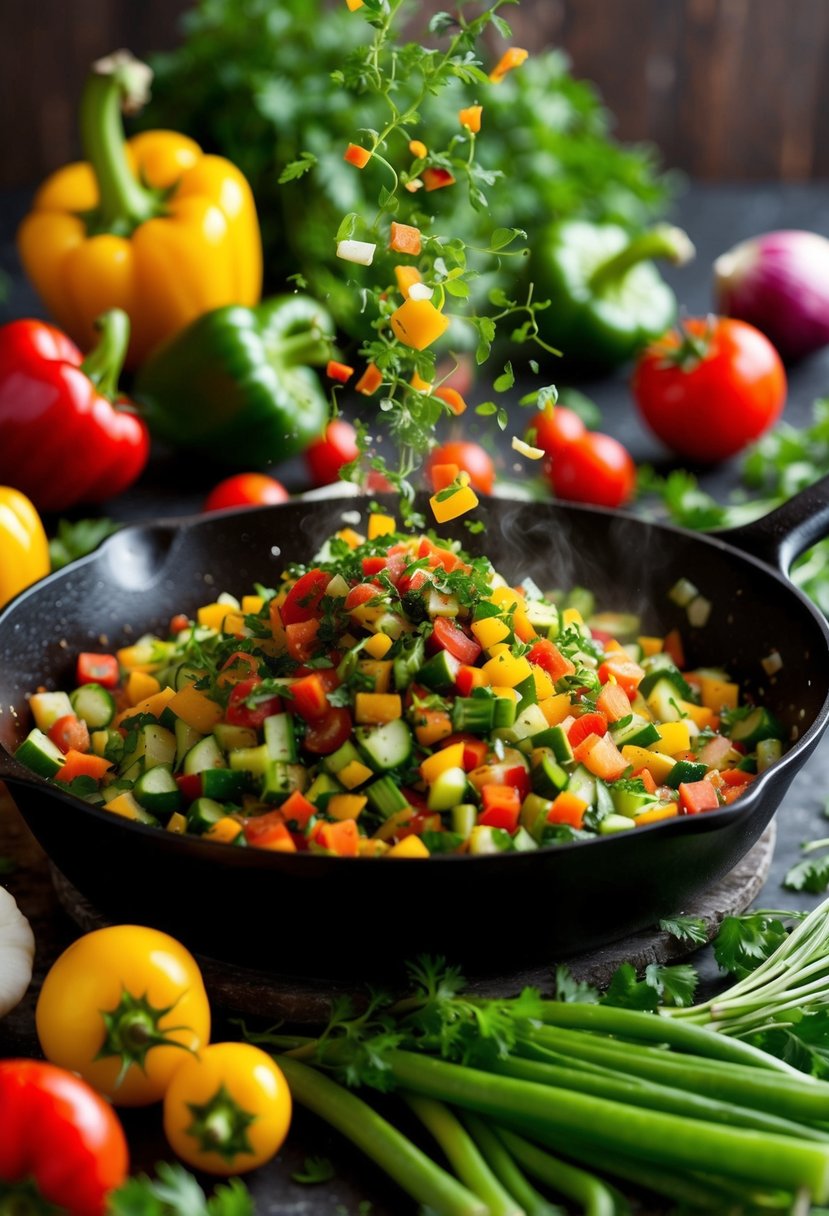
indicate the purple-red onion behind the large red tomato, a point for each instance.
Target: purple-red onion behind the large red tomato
{"x":780,"y":283}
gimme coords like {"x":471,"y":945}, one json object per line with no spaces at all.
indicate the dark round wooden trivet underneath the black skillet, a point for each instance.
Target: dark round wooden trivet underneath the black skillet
{"x":308,"y":1001}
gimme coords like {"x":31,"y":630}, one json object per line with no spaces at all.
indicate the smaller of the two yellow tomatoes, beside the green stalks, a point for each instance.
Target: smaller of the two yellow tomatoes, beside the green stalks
{"x":228,"y":1110}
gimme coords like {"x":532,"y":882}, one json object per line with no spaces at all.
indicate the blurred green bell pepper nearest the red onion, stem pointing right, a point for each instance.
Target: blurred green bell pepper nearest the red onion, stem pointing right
{"x":607,"y":299}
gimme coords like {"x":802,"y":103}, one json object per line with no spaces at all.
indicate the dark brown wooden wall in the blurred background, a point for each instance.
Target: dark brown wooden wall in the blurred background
{"x":728,"y":89}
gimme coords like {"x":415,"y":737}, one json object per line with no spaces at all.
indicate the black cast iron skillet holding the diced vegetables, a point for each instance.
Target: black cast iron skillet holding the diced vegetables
{"x":325,"y":915}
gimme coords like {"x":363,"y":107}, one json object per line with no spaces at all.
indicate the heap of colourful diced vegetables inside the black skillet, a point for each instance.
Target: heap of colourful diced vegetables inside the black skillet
{"x":398,"y":699}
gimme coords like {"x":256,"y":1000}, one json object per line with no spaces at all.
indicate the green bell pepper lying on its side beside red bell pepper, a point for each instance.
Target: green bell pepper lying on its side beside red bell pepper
{"x":236,"y":386}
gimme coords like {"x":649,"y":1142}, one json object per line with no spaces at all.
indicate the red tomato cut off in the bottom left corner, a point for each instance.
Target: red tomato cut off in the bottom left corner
{"x":61,"y":1134}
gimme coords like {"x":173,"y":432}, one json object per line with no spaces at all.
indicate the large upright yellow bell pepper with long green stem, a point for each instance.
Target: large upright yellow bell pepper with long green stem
{"x":151,"y":226}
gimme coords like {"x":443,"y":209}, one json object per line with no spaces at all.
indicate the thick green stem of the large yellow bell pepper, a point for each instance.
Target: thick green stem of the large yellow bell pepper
{"x":116,"y":83}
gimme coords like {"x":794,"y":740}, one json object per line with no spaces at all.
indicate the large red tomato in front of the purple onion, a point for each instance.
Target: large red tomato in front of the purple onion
{"x":710,"y":402}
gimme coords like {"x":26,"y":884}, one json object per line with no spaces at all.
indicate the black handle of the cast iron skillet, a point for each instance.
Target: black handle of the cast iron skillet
{"x":788,"y":532}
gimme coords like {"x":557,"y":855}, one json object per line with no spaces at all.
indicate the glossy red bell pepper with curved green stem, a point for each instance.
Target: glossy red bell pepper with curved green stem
{"x":66,"y":436}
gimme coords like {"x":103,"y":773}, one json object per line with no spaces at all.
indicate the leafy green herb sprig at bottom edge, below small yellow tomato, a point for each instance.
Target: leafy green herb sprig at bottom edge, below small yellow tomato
{"x":176,"y":1194}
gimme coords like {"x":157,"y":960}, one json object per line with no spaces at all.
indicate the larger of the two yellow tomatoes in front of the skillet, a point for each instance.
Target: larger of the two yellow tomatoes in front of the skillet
{"x":125,"y":1007}
